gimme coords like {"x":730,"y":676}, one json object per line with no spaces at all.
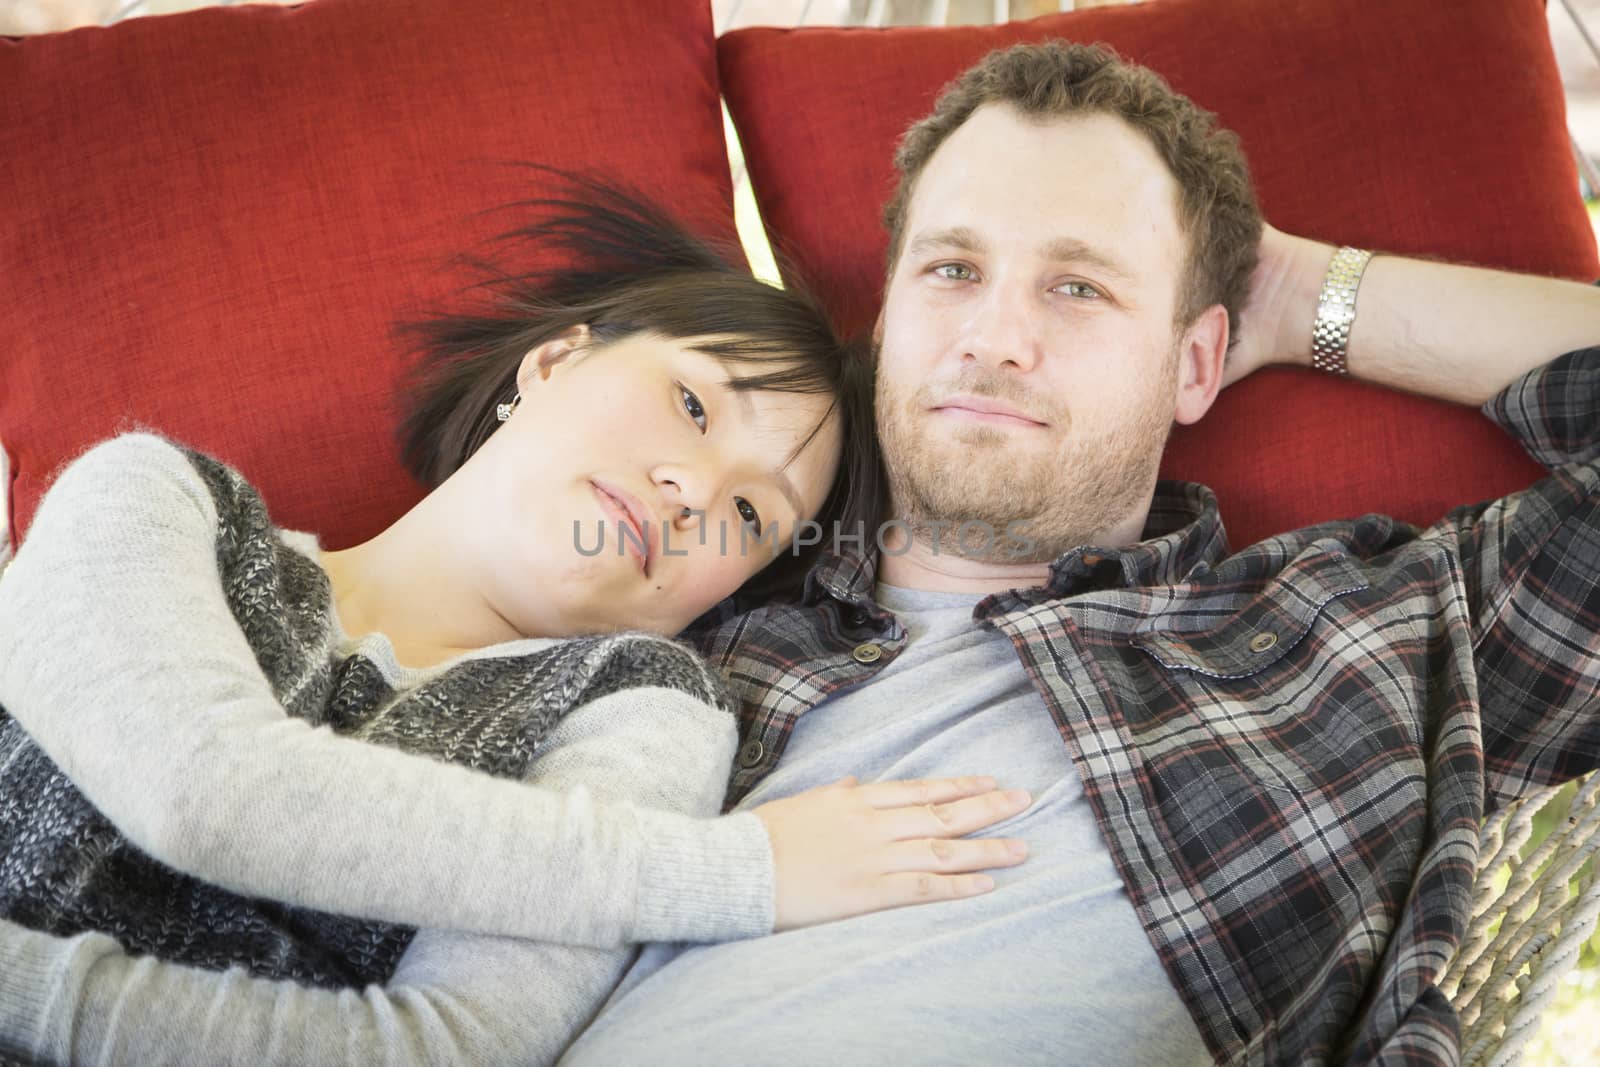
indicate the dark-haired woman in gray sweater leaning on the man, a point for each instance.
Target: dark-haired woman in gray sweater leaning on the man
{"x":234,"y":700}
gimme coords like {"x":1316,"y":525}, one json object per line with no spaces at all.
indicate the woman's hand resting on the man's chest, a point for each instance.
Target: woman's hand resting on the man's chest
{"x":847,"y":850}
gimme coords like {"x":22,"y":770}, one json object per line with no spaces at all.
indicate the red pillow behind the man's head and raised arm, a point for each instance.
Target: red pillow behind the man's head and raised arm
{"x":1409,"y":126}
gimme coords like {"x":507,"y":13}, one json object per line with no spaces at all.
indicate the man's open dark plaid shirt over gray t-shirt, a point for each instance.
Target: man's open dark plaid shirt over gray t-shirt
{"x":1289,"y":749}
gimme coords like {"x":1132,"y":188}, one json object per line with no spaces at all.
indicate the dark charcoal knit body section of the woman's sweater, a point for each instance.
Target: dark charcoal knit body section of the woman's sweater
{"x":66,"y":869}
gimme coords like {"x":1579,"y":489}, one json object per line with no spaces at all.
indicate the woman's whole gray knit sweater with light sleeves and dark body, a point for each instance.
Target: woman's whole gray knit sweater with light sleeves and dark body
{"x":338,"y":821}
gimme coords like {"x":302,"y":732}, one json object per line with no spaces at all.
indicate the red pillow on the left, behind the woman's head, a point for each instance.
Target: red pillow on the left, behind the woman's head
{"x":215,"y":218}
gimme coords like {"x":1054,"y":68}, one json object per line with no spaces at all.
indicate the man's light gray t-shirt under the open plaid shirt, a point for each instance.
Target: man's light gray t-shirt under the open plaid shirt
{"x":1049,"y":969}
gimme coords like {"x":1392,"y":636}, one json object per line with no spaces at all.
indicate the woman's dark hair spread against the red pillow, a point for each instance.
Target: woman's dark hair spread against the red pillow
{"x":626,"y":268}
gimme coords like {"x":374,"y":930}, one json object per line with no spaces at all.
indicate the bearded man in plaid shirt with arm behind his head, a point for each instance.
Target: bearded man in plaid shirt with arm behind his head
{"x":1258,"y":777}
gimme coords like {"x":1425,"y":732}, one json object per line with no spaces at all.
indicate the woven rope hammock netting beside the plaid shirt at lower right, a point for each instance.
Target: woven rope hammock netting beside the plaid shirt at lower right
{"x":1524,"y":938}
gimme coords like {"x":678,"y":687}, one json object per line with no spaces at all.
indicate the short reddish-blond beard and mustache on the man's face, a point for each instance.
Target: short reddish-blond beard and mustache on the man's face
{"x":1018,"y":505}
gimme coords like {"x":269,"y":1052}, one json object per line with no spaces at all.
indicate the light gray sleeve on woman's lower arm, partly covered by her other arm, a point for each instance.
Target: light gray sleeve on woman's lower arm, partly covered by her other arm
{"x":455,"y":999}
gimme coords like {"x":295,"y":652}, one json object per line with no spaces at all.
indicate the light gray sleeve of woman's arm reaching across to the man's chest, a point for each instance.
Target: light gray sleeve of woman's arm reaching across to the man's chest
{"x":121,"y":657}
